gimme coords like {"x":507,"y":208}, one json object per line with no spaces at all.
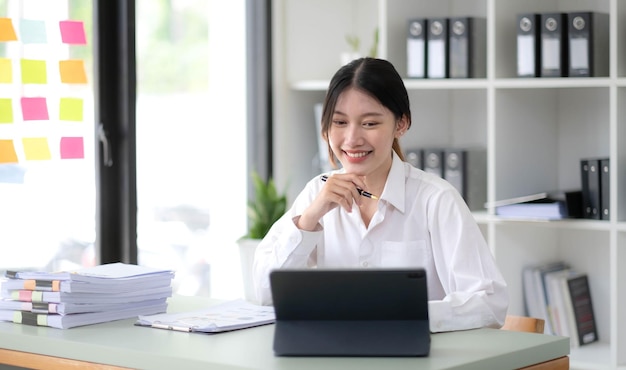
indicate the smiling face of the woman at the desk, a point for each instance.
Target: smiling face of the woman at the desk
{"x":361,"y":133}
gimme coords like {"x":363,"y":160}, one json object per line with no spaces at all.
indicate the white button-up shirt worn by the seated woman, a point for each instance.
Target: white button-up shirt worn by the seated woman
{"x":421,"y":221}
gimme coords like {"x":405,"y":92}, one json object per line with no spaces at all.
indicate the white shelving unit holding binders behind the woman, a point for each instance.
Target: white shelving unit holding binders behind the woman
{"x":535,"y":131}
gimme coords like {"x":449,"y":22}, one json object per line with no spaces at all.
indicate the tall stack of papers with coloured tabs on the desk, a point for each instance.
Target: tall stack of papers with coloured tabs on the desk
{"x":85,"y":296}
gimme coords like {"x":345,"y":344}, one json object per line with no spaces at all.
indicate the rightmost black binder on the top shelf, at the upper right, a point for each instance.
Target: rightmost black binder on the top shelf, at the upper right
{"x":588,"y":38}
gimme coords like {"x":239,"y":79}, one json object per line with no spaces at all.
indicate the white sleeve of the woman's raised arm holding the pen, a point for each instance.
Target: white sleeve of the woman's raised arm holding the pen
{"x":285,"y":246}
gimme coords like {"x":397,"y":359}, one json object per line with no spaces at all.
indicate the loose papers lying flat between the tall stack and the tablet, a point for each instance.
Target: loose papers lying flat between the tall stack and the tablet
{"x":232,"y":315}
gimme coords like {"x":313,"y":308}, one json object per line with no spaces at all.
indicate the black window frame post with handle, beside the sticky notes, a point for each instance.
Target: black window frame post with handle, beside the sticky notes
{"x":115,"y":98}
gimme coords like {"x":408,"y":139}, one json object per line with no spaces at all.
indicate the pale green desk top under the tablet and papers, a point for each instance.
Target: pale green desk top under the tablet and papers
{"x":120,"y":343}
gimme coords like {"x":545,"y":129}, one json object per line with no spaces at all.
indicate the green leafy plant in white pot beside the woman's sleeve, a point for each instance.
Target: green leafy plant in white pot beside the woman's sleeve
{"x":267,"y":206}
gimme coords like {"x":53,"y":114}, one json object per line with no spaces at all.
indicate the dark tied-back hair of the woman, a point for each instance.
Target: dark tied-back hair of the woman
{"x":375,"y":77}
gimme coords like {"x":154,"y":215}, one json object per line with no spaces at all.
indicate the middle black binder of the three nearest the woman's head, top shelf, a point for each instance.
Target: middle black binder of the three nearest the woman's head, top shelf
{"x":437,"y":48}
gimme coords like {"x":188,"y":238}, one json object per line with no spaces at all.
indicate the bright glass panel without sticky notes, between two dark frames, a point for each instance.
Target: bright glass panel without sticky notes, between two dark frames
{"x":191,"y":141}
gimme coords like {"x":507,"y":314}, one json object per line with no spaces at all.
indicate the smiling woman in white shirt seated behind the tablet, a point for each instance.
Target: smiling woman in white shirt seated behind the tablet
{"x":413,"y":219}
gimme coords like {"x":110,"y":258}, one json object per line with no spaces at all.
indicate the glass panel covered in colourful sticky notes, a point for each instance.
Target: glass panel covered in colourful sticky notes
{"x":47,"y":179}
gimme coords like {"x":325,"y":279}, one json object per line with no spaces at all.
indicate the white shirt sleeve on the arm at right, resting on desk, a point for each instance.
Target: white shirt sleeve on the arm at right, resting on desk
{"x":475,"y":292}
